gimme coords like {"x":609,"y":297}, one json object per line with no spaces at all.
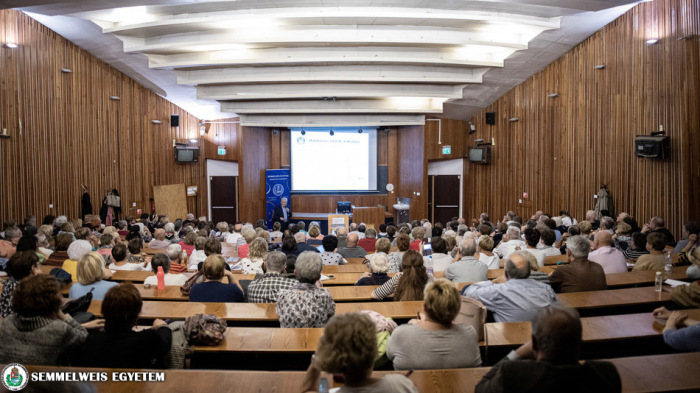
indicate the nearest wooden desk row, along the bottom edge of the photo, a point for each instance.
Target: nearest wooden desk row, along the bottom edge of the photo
{"x":638,"y":374}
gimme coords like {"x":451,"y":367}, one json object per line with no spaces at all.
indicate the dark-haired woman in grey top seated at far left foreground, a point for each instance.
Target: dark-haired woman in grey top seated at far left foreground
{"x":38,"y":333}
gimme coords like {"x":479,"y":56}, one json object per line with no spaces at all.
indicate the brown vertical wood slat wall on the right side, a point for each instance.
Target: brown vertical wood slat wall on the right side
{"x":563,"y":149}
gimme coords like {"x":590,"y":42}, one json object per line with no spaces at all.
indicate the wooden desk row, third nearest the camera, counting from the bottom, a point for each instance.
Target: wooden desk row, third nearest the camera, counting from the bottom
{"x":595,"y":300}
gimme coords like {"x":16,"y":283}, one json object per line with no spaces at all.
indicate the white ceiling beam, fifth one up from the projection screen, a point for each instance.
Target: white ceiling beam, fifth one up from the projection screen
{"x":313,"y":55}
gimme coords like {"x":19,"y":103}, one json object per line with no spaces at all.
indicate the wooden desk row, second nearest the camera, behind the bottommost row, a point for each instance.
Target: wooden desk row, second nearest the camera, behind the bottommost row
{"x":305,"y":340}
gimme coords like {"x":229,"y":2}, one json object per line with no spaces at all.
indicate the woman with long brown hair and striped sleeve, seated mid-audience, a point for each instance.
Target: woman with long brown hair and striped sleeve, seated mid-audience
{"x":407,"y":285}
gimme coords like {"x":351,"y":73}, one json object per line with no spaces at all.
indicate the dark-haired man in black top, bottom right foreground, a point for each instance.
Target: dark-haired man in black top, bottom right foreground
{"x":549,"y":361}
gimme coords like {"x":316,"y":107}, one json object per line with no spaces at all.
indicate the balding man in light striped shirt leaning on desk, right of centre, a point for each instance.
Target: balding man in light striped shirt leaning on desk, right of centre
{"x":518,"y":299}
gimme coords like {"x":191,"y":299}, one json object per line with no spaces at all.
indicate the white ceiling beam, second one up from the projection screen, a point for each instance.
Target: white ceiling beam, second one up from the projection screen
{"x":386,"y":105}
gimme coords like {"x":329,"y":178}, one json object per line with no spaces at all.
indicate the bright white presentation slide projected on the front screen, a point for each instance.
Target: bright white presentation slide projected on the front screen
{"x":344,"y":161}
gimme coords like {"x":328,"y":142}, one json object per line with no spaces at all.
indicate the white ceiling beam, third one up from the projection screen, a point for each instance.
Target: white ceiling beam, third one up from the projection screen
{"x":318,"y":90}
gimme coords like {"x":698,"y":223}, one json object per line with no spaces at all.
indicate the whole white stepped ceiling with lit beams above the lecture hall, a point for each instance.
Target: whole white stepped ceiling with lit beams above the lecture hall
{"x":321,"y":62}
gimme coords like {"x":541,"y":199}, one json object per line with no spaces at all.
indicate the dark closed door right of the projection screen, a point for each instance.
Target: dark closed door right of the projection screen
{"x":443,"y":197}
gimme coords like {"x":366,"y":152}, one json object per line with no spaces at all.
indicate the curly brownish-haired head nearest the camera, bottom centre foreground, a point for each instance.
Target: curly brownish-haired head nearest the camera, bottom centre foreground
{"x":348,"y":347}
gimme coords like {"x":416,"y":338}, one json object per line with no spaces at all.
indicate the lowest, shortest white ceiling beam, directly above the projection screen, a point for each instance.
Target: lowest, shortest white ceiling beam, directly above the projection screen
{"x":333,"y":120}
